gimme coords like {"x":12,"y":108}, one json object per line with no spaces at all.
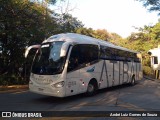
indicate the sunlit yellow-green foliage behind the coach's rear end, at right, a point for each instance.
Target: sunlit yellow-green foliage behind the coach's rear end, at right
{"x":147,"y":38}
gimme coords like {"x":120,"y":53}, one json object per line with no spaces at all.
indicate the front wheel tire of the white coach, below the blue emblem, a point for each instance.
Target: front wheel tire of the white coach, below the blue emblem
{"x":91,"y":89}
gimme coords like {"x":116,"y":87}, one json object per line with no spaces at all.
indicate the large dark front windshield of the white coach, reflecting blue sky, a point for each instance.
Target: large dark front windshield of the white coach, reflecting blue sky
{"x":47,"y":60}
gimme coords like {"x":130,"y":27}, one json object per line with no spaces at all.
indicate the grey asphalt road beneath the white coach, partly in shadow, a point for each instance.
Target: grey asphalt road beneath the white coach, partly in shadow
{"x":144,"y":96}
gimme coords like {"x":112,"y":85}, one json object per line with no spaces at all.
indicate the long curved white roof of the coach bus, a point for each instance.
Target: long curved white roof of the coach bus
{"x":83,"y":39}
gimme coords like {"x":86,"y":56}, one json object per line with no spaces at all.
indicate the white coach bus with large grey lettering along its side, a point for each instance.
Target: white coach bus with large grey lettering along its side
{"x":69,"y":64}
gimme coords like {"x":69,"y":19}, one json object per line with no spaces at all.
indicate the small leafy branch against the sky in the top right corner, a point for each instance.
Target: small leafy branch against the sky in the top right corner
{"x":153,"y":5}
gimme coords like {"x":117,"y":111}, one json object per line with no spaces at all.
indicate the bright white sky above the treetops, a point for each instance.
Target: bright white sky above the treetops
{"x":117,"y":16}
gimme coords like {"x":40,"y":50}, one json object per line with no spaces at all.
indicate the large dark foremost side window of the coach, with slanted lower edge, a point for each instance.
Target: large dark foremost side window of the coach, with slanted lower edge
{"x":81,"y":55}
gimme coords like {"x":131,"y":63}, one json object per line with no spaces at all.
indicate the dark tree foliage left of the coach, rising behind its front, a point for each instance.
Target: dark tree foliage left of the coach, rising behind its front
{"x":23,"y":23}
